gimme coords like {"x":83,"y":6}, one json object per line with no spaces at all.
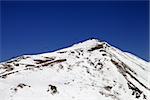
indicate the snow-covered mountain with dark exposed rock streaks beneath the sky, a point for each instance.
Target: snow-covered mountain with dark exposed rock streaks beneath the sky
{"x":91,"y":70}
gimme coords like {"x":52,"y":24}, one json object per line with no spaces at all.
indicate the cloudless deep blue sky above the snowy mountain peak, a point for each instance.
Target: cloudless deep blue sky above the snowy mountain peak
{"x":36,"y":27}
